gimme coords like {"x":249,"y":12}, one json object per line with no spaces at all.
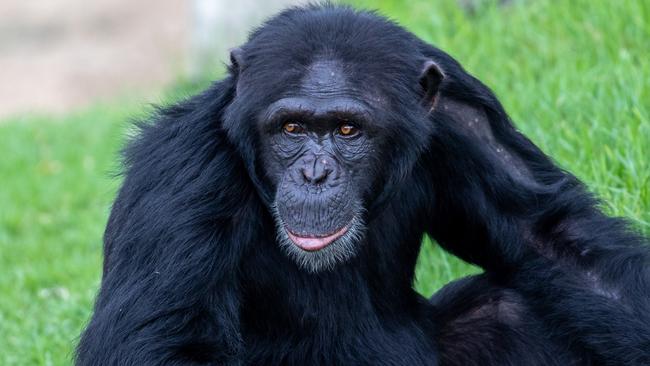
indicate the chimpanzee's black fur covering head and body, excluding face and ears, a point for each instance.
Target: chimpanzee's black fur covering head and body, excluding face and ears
{"x":193,"y":274}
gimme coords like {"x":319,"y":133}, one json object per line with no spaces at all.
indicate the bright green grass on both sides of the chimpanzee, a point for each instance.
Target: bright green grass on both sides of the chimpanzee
{"x":574,"y":75}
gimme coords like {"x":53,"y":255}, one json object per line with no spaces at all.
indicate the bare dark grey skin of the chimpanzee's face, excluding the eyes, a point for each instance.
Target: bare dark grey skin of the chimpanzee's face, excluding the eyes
{"x":320,"y":173}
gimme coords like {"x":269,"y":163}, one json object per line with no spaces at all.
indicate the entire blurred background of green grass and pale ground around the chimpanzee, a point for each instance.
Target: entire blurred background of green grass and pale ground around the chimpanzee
{"x":574,"y":75}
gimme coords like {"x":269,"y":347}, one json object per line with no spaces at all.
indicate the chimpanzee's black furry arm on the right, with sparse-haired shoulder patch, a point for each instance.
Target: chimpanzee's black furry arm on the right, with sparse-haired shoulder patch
{"x":502,"y":204}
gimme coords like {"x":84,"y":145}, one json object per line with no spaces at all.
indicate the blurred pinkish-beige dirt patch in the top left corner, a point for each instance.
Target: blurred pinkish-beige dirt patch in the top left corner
{"x":60,"y":54}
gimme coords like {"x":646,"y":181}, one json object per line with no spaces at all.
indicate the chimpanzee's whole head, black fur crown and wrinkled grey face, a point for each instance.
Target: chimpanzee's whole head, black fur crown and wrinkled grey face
{"x":338,"y":104}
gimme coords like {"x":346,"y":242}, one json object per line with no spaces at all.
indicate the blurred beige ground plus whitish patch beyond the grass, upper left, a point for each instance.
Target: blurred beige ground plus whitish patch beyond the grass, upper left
{"x":59,"y":55}
